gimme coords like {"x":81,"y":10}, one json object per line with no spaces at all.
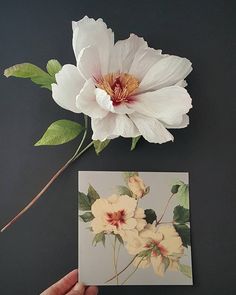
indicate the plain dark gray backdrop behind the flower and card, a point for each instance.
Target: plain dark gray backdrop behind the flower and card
{"x":42,"y":246}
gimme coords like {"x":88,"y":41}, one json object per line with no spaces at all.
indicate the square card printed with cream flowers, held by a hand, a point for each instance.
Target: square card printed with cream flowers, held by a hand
{"x":134,"y":228}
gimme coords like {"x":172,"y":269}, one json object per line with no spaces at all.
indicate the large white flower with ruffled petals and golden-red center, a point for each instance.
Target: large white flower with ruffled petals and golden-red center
{"x":127,"y":88}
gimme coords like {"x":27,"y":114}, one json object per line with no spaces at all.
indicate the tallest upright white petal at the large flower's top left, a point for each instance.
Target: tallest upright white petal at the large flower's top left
{"x":90,"y":32}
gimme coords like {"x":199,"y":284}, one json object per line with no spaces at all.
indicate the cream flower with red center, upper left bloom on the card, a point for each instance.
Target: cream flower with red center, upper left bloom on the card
{"x":117,"y":214}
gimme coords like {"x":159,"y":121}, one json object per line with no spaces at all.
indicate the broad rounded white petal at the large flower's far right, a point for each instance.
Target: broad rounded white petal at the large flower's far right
{"x":167,"y":104}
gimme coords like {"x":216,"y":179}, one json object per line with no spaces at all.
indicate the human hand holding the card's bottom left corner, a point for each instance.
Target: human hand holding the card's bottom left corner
{"x":69,"y":286}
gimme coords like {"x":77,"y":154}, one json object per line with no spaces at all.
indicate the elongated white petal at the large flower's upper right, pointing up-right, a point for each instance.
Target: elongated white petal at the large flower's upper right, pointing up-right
{"x":166,"y":72}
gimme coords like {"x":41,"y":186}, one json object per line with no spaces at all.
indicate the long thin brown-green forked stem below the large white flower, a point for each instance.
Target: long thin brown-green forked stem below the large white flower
{"x":75,"y":156}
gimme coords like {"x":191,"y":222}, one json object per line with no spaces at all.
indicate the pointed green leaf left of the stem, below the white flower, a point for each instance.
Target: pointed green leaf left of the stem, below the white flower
{"x":60,"y":132}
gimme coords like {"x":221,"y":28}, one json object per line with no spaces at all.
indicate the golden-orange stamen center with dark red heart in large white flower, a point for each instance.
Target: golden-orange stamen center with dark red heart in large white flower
{"x":120,"y":87}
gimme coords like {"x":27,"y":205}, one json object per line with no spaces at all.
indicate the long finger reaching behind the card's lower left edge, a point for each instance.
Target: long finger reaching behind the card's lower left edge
{"x":64,"y":285}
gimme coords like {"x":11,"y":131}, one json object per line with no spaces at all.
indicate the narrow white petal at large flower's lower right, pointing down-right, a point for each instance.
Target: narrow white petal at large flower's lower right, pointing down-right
{"x":151,"y":129}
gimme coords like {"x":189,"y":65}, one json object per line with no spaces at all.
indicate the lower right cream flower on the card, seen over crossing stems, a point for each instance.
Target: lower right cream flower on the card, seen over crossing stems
{"x":160,"y":247}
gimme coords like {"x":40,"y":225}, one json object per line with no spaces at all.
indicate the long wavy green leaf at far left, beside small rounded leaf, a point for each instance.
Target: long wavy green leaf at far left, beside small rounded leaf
{"x":28,"y":70}
